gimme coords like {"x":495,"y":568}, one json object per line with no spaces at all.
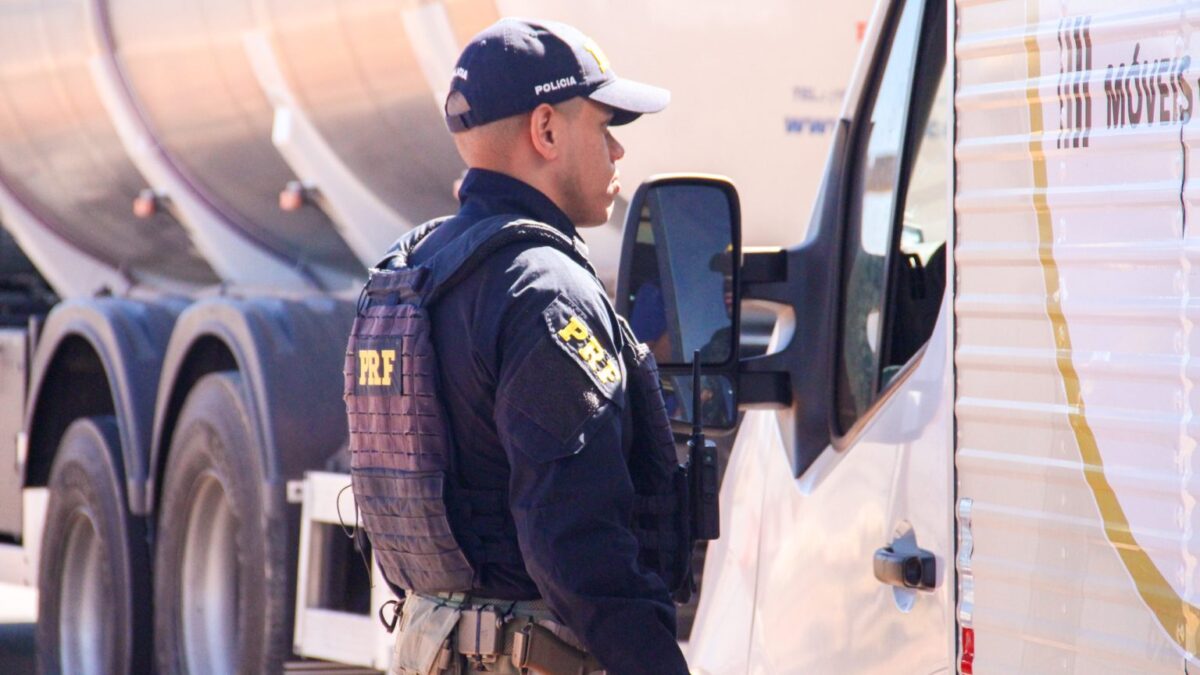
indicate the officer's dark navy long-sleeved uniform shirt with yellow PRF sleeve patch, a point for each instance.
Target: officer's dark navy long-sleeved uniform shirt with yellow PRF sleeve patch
{"x":533,"y":417}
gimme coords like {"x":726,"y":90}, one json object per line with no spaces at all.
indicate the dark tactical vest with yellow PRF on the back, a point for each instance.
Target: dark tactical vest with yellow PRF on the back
{"x":429,"y":534}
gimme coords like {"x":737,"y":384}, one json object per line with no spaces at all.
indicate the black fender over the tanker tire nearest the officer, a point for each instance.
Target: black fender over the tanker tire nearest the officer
{"x":290,"y":354}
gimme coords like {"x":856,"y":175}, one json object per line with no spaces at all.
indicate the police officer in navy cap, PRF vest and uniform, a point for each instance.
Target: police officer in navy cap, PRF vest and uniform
{"x":514,"y":465}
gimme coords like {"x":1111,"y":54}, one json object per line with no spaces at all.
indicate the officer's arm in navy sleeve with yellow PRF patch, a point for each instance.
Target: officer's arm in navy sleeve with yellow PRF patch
{"x":560,"y":415}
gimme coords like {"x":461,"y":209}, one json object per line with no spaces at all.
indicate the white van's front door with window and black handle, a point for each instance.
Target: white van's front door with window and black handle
{"x":884,"y":487}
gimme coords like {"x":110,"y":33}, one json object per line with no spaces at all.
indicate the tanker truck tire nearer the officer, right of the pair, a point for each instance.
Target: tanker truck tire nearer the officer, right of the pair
{"x":221,"y":574}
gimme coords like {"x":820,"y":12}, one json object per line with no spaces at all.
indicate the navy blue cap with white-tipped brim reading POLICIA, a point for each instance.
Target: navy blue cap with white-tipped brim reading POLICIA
{"x":515,"y":65}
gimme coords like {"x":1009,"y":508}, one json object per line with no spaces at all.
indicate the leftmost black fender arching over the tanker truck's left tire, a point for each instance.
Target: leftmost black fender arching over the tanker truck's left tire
{"x":99,"y":356}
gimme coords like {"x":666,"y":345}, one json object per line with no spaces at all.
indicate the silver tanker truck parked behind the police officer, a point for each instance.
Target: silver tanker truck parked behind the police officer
{"x":191,"y":194}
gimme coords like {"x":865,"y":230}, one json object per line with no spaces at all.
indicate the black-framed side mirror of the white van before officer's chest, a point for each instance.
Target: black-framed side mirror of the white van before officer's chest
{"x":680,"y":289}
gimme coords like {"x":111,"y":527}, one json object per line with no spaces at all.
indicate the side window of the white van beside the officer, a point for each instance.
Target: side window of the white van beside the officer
{"x":893,"y":265}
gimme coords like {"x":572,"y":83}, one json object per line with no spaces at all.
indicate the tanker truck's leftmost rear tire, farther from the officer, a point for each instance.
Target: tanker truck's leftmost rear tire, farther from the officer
{"x":94,"y":577}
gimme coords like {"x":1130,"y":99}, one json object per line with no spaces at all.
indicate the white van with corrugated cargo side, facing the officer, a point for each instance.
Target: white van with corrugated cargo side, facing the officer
{"x":974,"y":446}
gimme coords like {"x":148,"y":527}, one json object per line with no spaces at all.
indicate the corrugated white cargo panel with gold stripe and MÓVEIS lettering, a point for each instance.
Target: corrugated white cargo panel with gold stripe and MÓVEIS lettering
{"x":1077,"y":236}
